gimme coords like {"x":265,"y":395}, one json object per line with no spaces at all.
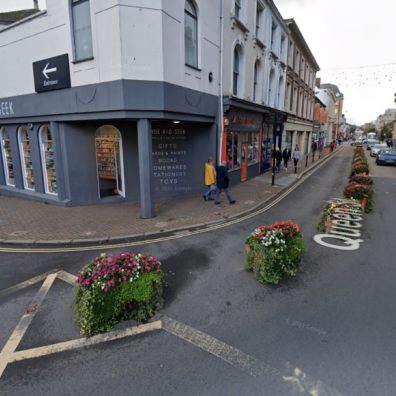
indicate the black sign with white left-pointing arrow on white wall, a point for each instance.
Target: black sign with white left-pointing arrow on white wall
{"x":52,"y":73}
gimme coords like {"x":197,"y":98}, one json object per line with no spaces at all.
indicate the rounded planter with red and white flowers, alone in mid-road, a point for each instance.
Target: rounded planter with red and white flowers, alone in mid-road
{"x":275,"y":251}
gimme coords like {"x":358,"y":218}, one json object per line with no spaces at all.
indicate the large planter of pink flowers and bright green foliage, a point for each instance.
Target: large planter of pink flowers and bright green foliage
{"x":115,"y":287}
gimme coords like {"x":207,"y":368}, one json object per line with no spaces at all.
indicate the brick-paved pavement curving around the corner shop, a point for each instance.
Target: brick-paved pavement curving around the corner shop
{"x":36,"y":224}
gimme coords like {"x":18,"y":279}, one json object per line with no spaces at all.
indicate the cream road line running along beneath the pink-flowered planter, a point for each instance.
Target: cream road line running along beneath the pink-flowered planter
{"x":84,"y":342}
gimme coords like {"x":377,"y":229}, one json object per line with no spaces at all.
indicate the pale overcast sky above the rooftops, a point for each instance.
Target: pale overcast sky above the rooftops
{"x":352,"y":40}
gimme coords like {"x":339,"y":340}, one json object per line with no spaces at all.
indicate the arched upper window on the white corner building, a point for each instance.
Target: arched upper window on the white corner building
{"x":190,"y":34}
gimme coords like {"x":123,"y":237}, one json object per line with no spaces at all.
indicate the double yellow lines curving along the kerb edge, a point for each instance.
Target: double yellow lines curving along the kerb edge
{"x":174,"y":236}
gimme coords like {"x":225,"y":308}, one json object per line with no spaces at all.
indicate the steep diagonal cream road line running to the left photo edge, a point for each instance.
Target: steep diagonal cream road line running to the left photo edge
{"x":13,"y":342}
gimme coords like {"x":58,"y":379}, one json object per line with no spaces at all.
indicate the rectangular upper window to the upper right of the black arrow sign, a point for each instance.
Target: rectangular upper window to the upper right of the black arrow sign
{"x":82,"y":34}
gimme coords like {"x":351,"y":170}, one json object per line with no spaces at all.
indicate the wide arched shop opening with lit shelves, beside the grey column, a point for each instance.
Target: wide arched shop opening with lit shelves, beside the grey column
{"x":109,"y":160}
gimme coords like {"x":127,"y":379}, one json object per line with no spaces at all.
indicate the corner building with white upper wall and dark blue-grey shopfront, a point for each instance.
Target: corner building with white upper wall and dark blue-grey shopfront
{"x":109,"y":100}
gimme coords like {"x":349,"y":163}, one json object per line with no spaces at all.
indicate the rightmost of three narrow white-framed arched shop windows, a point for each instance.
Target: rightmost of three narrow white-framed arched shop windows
{"x":47,"y":151}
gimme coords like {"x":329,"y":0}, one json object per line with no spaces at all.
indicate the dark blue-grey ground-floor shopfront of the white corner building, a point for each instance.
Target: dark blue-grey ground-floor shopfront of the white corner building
{"x":111,"y":142}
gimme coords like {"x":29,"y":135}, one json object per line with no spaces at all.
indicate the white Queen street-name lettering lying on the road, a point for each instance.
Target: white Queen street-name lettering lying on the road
{"x":345,"y":228}
